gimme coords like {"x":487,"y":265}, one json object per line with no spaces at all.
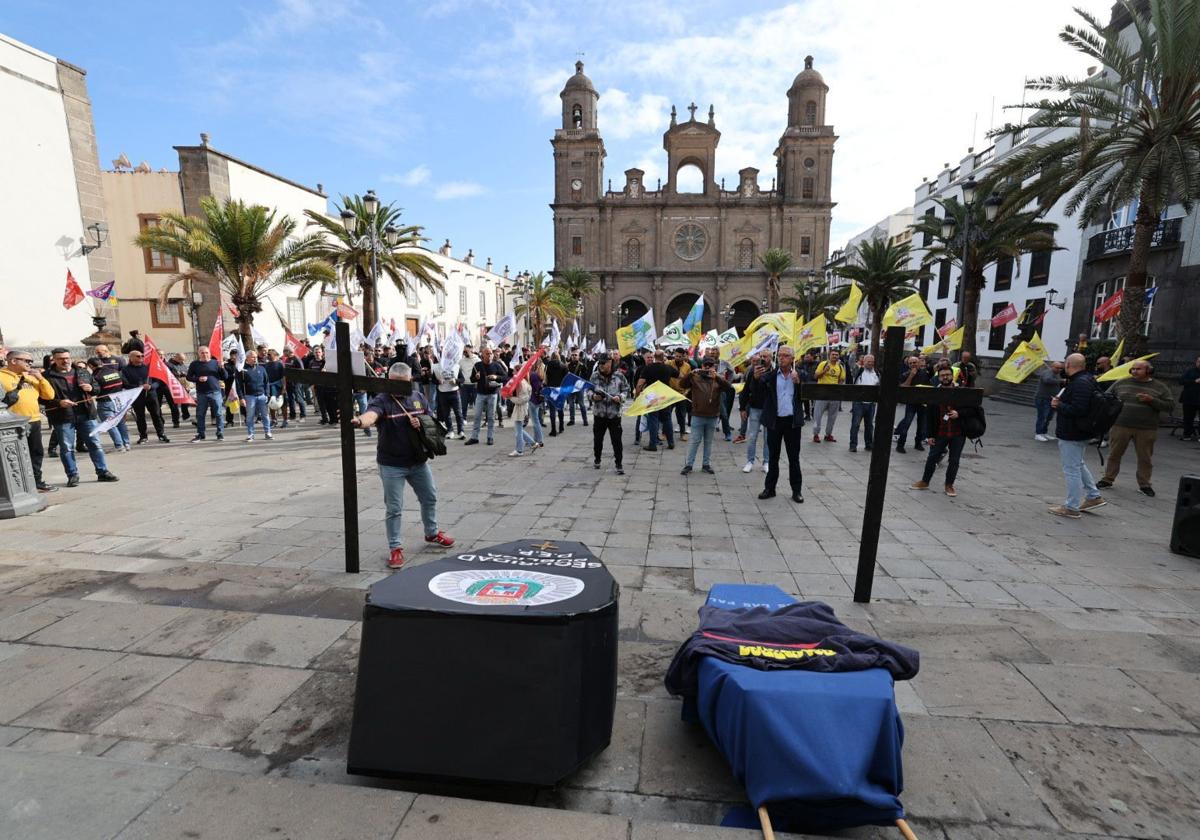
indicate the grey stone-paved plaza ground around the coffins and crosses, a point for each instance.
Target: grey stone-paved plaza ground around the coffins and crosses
{"x":178,"y":651}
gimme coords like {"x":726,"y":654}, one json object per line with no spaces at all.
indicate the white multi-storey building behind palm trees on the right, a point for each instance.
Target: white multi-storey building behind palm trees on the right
{"x":1029,"y":284}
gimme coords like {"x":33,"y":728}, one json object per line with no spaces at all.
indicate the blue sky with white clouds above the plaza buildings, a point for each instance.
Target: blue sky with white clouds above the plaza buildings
{"x":448,"y":107}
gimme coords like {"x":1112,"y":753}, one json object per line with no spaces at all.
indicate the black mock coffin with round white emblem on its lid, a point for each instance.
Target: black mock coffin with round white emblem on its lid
{"x":494,"y":665}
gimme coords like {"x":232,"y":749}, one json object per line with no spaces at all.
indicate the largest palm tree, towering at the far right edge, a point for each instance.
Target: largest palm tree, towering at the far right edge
{"x":1136,"y":136}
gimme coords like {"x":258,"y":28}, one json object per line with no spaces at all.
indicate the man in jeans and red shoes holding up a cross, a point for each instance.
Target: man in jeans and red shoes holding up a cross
{"x":403,"y":460}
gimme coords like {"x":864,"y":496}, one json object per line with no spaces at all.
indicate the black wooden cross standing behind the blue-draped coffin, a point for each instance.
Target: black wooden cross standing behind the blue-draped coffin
{"x":887,"y":395}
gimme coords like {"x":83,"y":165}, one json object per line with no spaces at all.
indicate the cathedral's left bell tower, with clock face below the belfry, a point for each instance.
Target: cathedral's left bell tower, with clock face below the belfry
{"x":579,"y":149}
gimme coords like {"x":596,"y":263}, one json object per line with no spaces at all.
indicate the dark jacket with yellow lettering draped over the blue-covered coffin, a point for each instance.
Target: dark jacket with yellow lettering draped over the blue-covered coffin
{"x":805,"y":637}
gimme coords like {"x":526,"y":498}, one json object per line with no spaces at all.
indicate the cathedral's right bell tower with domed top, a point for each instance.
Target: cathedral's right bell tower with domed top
{"x":806,"y":151}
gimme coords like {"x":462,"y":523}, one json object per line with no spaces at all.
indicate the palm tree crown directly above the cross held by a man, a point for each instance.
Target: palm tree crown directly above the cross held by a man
{"x":401,"y":260}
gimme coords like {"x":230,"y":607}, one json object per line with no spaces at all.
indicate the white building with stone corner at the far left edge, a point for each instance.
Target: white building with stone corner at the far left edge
{"x":51,"y":177}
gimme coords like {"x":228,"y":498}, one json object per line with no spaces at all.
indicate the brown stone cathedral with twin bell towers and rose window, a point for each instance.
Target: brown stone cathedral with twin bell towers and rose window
{"x":662,"y":245}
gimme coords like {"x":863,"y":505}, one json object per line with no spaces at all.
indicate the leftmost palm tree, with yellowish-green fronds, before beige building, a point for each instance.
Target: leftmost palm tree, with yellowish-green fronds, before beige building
{"x":244,"y":247}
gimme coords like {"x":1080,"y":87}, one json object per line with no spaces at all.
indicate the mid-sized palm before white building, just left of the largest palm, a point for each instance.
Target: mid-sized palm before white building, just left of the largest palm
{"x":1012,"y":233}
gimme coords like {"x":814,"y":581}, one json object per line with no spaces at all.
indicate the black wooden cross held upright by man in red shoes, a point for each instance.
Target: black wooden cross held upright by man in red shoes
{"x":346,"y":382}
